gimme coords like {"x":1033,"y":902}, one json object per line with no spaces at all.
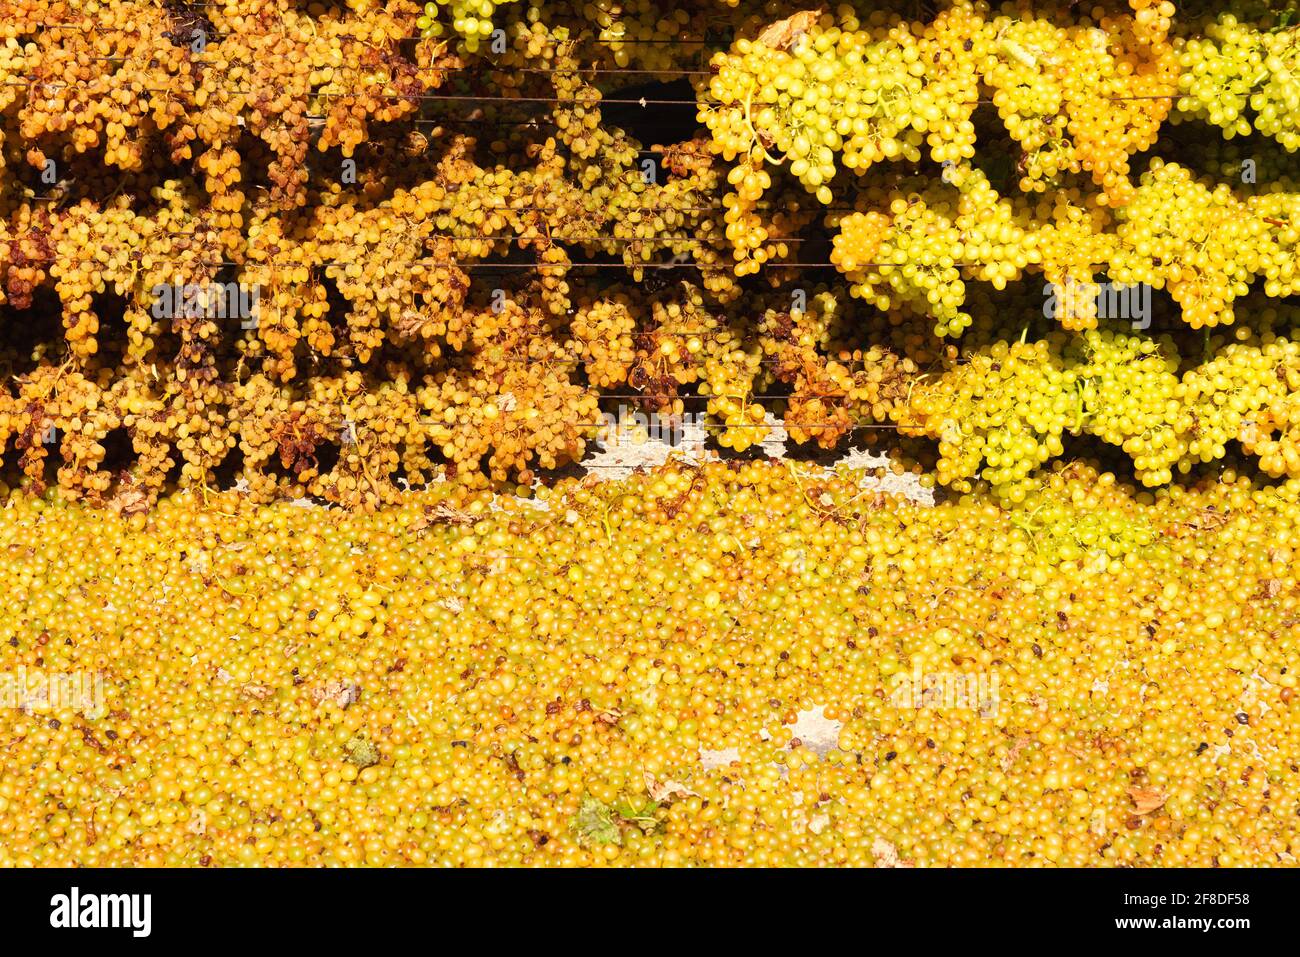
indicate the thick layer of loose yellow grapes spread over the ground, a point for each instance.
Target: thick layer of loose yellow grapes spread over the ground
{"x":618,"y":674}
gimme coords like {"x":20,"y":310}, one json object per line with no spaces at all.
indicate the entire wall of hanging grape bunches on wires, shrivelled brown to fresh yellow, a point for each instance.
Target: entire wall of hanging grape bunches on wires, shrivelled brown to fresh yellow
{"x":341,"y":249}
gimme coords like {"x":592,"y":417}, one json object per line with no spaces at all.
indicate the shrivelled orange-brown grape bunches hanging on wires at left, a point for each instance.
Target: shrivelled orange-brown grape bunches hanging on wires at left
{"x":298,"y":162}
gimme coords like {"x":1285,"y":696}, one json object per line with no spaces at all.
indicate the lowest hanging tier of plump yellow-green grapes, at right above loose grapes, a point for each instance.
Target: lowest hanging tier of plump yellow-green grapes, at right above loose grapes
{"x":1006,"y":410}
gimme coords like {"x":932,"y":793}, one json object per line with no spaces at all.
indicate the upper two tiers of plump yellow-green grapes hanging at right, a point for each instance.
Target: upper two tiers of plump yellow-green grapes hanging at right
{"x":1076,"y":99}
